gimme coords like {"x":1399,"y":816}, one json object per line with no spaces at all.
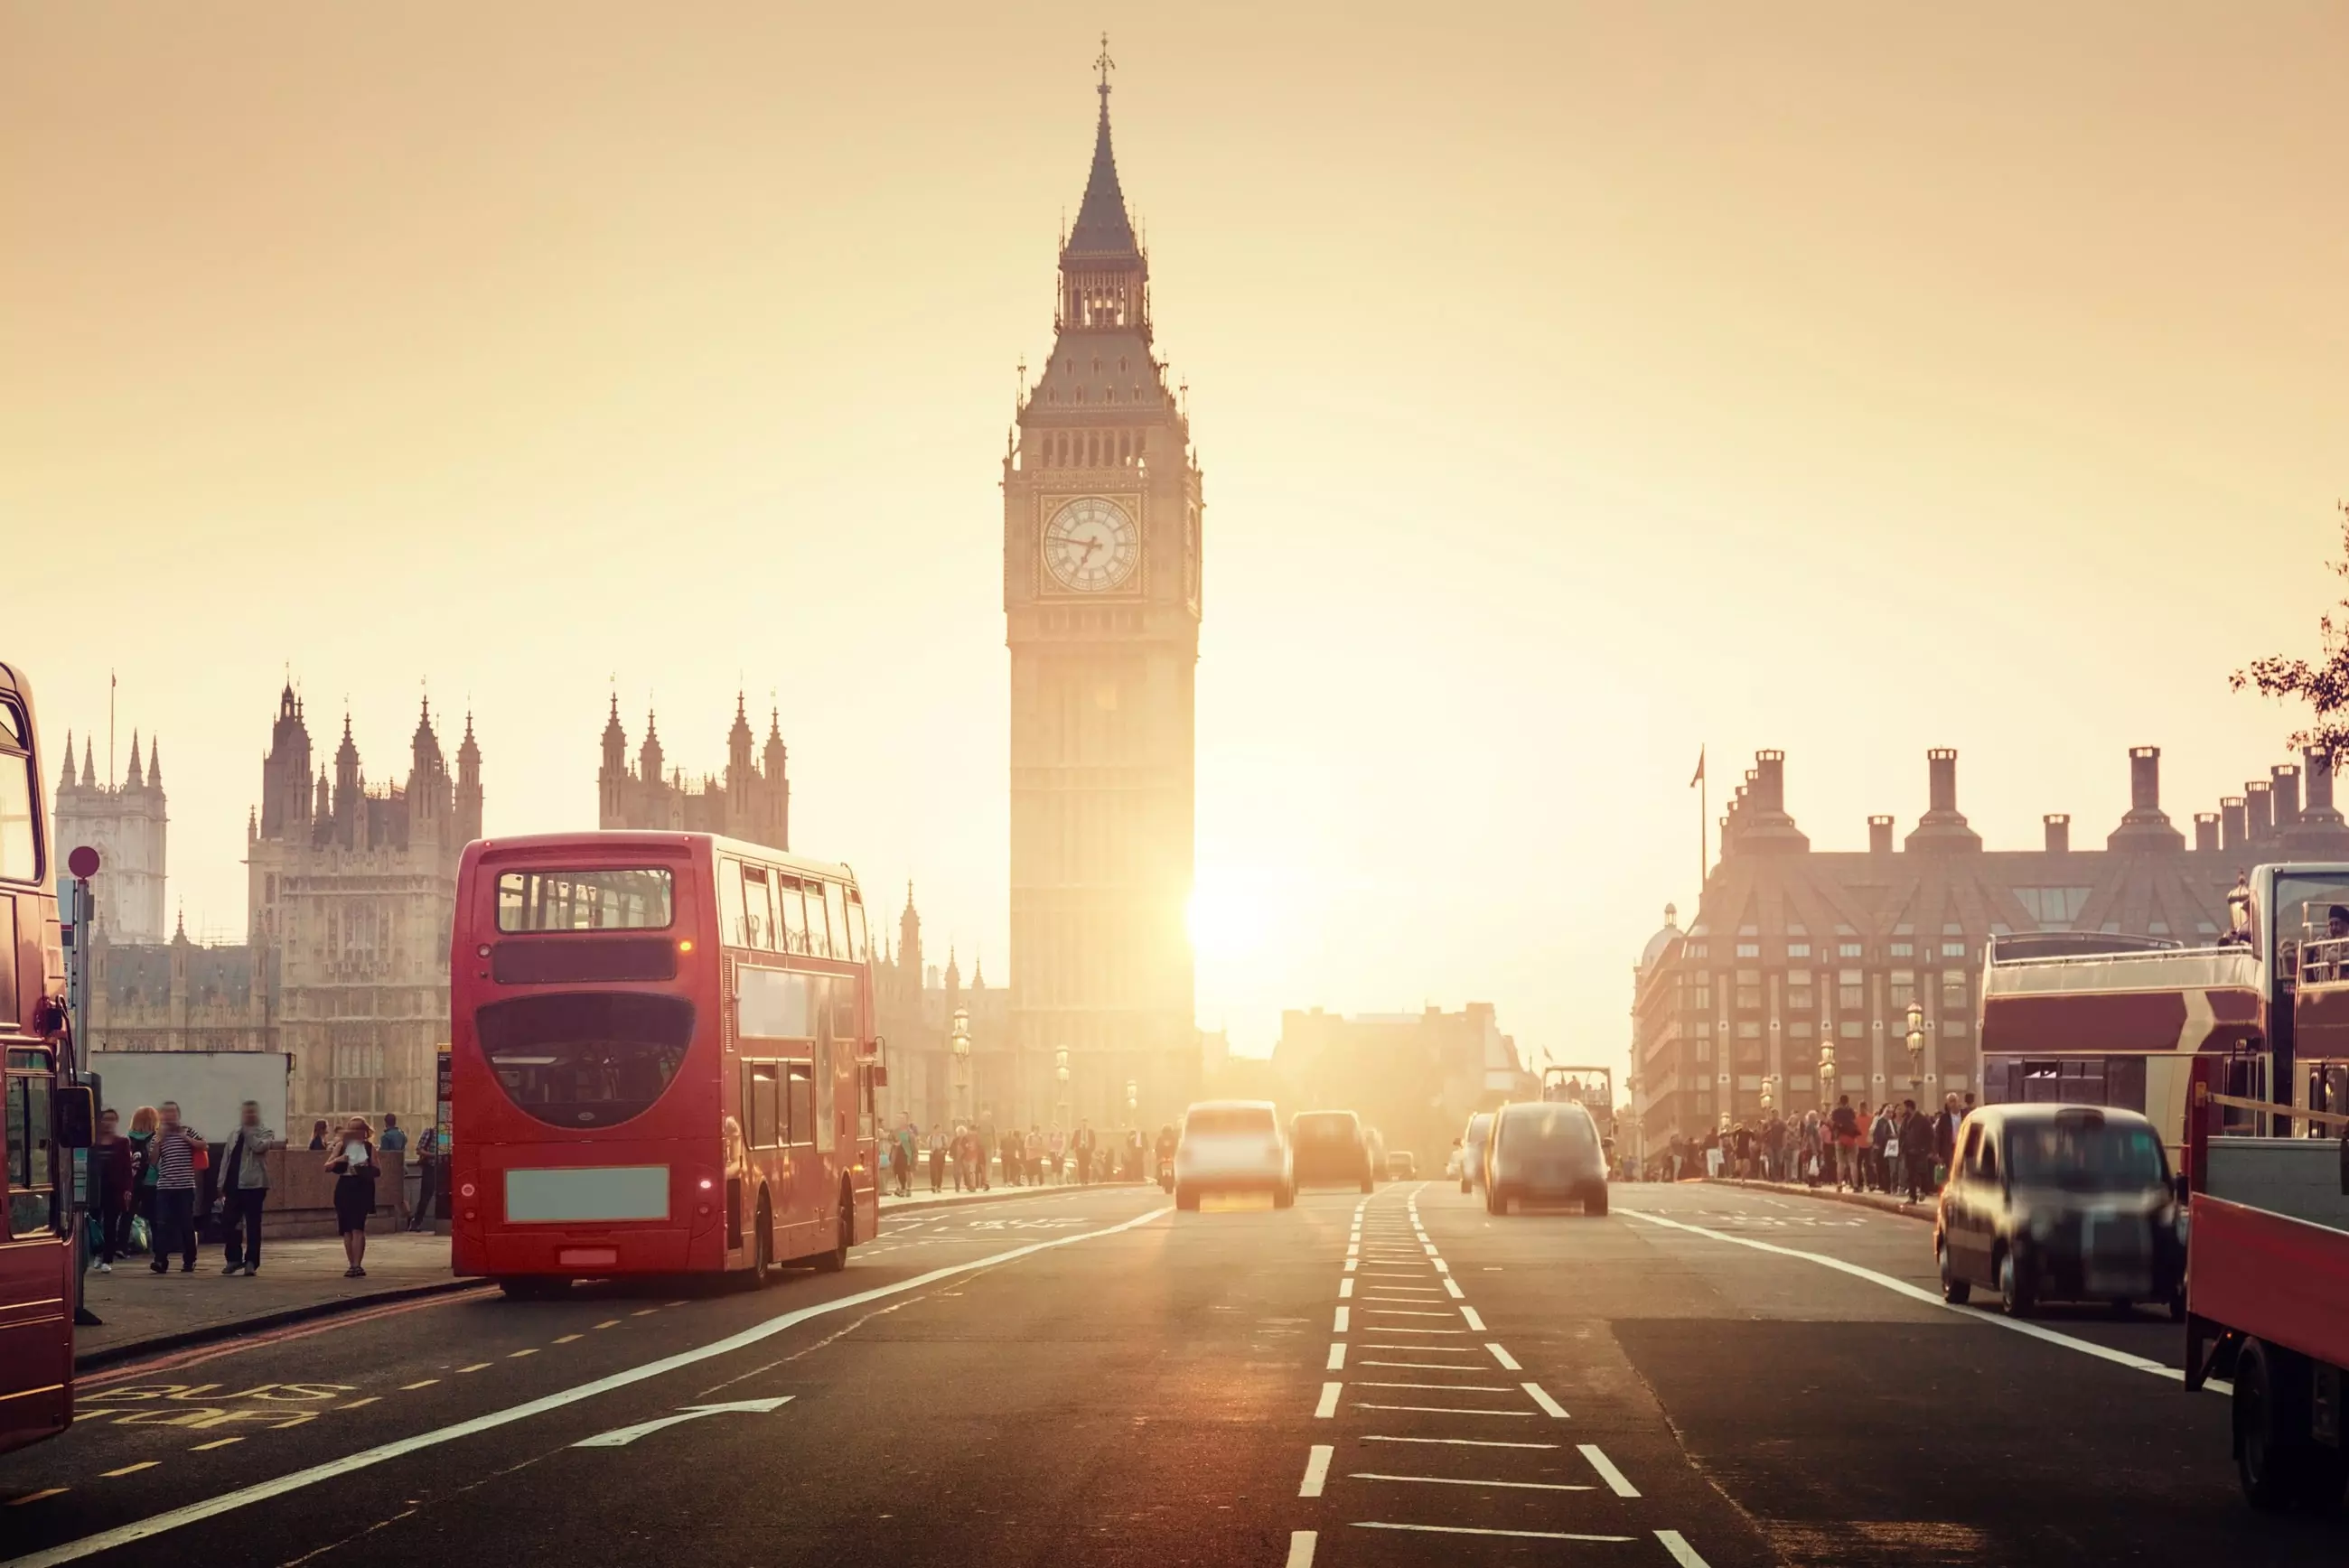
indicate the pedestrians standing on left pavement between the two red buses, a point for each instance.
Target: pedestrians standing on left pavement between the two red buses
{"x":147,"y":1187}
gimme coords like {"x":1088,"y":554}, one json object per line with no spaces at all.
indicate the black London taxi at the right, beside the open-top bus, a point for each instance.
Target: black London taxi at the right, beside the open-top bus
{"x":2061,"y":1203}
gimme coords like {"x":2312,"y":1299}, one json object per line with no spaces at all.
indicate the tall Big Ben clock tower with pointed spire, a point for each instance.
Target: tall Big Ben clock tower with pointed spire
{"x":1101,"y":602}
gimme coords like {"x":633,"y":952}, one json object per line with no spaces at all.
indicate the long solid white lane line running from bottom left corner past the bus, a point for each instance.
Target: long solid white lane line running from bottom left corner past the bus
{"x":264,"y":1492}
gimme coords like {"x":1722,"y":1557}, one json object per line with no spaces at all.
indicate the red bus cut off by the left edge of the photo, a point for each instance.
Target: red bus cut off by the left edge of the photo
{"x":41,"y":1111}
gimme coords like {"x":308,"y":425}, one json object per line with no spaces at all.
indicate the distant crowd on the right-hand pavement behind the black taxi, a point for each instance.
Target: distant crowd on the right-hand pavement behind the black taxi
{"x":1850,"y":1147}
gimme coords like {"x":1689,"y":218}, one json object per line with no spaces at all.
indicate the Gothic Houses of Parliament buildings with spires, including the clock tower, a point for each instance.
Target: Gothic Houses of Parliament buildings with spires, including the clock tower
{"x":351,"y":884}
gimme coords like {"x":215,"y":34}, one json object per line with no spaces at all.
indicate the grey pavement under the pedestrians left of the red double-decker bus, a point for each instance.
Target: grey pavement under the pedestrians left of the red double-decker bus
{"x":304,"y":1278}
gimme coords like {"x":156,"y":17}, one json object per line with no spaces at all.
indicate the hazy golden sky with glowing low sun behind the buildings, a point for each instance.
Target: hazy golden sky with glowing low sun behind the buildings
{"x":1575,"y":384}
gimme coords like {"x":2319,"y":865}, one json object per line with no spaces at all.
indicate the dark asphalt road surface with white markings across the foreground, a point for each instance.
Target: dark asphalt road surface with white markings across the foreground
{"x":1704,"y":1377}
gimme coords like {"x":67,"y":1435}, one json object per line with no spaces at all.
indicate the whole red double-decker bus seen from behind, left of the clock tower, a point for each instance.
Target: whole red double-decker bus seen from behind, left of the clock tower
{"x":664,"y":1060}
